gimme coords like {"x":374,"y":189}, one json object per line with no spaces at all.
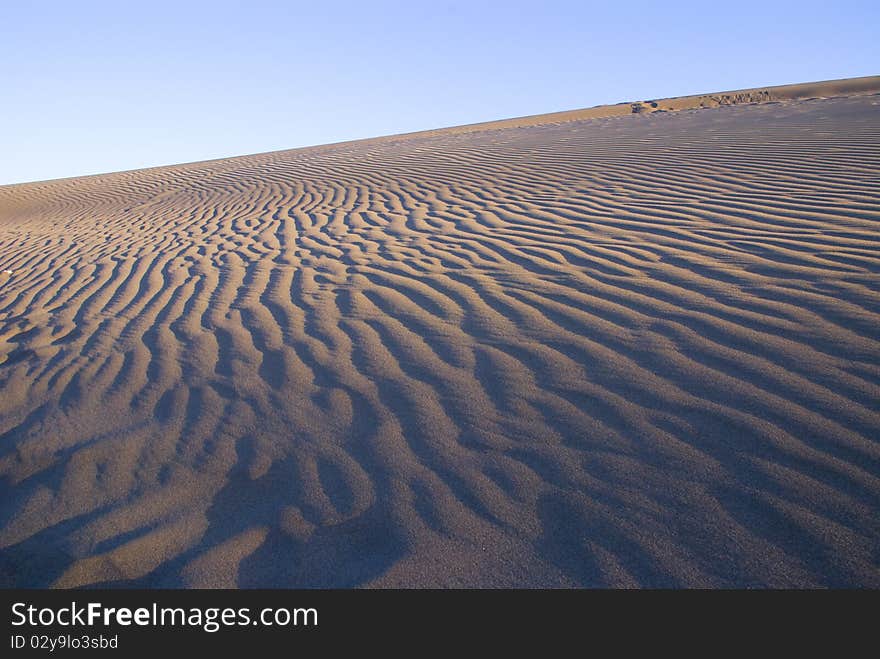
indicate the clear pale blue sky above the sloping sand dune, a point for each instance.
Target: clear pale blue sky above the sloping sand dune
{"x":90,"y":87}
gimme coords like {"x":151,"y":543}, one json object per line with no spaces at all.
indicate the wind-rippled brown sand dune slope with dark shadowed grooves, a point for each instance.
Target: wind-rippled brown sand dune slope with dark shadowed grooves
{"x":628,"y":351}
